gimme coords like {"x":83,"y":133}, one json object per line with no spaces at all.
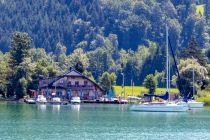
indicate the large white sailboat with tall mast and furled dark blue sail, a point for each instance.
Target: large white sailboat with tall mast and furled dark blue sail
{"x":165,"y":106}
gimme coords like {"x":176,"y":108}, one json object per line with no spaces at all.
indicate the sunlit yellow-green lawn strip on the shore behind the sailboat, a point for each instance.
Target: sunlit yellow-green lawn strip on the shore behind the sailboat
{"x":138,"y":90}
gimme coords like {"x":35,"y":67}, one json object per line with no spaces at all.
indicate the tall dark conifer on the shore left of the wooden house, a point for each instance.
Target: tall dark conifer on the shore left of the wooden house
{"x":18,"y":53}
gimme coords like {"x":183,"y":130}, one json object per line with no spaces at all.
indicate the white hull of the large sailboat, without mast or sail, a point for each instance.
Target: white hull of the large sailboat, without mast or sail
{"x":160,"y":107}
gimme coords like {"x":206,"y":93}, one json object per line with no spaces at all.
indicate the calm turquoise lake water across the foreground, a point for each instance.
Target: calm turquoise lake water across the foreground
{"x":99,"y":122}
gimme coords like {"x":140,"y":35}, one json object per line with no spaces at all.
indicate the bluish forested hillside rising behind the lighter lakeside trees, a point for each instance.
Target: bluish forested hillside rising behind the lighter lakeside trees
{"x":135,"y":22}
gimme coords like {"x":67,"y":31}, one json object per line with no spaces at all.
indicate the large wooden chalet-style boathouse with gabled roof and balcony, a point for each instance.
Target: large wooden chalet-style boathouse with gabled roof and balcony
{"x":70,"y":84}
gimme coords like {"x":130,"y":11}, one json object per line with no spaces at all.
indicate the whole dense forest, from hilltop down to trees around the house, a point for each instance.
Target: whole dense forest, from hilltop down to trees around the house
{"x":114,"y":36}
